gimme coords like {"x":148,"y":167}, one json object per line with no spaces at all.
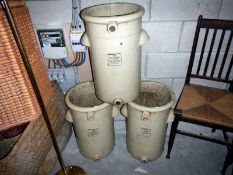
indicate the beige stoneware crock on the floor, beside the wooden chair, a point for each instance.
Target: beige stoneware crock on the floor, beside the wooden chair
{"x":146,"y":124}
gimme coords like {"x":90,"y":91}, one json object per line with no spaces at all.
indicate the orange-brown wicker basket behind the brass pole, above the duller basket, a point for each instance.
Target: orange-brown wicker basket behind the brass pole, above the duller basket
{"x":18,"y":103}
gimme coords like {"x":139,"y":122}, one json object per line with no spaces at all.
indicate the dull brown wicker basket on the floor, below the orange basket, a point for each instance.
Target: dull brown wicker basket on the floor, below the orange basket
{"x":33,"y":153}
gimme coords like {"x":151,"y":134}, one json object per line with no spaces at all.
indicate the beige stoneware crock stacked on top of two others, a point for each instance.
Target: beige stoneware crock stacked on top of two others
{"x":114,"y":37}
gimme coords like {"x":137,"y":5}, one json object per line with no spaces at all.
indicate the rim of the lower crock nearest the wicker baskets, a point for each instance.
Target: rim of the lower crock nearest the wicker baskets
{"x":79,"y":108}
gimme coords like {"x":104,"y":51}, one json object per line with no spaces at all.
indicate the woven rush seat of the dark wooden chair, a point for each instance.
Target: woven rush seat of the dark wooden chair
{"x":206,"y":104}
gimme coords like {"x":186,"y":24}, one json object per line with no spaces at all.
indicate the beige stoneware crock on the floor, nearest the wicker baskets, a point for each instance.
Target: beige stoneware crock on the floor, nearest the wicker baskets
{"x":92,"y":121}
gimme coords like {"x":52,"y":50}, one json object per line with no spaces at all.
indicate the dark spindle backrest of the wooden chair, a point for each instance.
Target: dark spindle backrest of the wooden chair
{"x":211,"y":56}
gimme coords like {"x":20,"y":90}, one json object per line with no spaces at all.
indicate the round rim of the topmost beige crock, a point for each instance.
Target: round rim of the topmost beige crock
{"x":107,"y":19}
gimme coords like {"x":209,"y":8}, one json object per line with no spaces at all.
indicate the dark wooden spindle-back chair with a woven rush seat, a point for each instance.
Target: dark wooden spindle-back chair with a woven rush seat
{"x":202,"y":105}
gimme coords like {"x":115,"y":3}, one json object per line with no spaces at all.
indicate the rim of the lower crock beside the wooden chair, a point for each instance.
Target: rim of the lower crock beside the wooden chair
{"x":158,"y":108}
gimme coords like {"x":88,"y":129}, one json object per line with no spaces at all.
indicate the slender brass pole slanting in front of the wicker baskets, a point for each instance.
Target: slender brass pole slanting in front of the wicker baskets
{"x":10,"y":19}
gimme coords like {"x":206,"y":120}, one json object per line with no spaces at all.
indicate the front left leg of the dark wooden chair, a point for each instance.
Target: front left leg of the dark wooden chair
{"x":172,"y":136}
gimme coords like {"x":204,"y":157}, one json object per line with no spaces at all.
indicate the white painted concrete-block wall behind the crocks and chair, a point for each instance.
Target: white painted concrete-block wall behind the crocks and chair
{"x":170,"y":25}
